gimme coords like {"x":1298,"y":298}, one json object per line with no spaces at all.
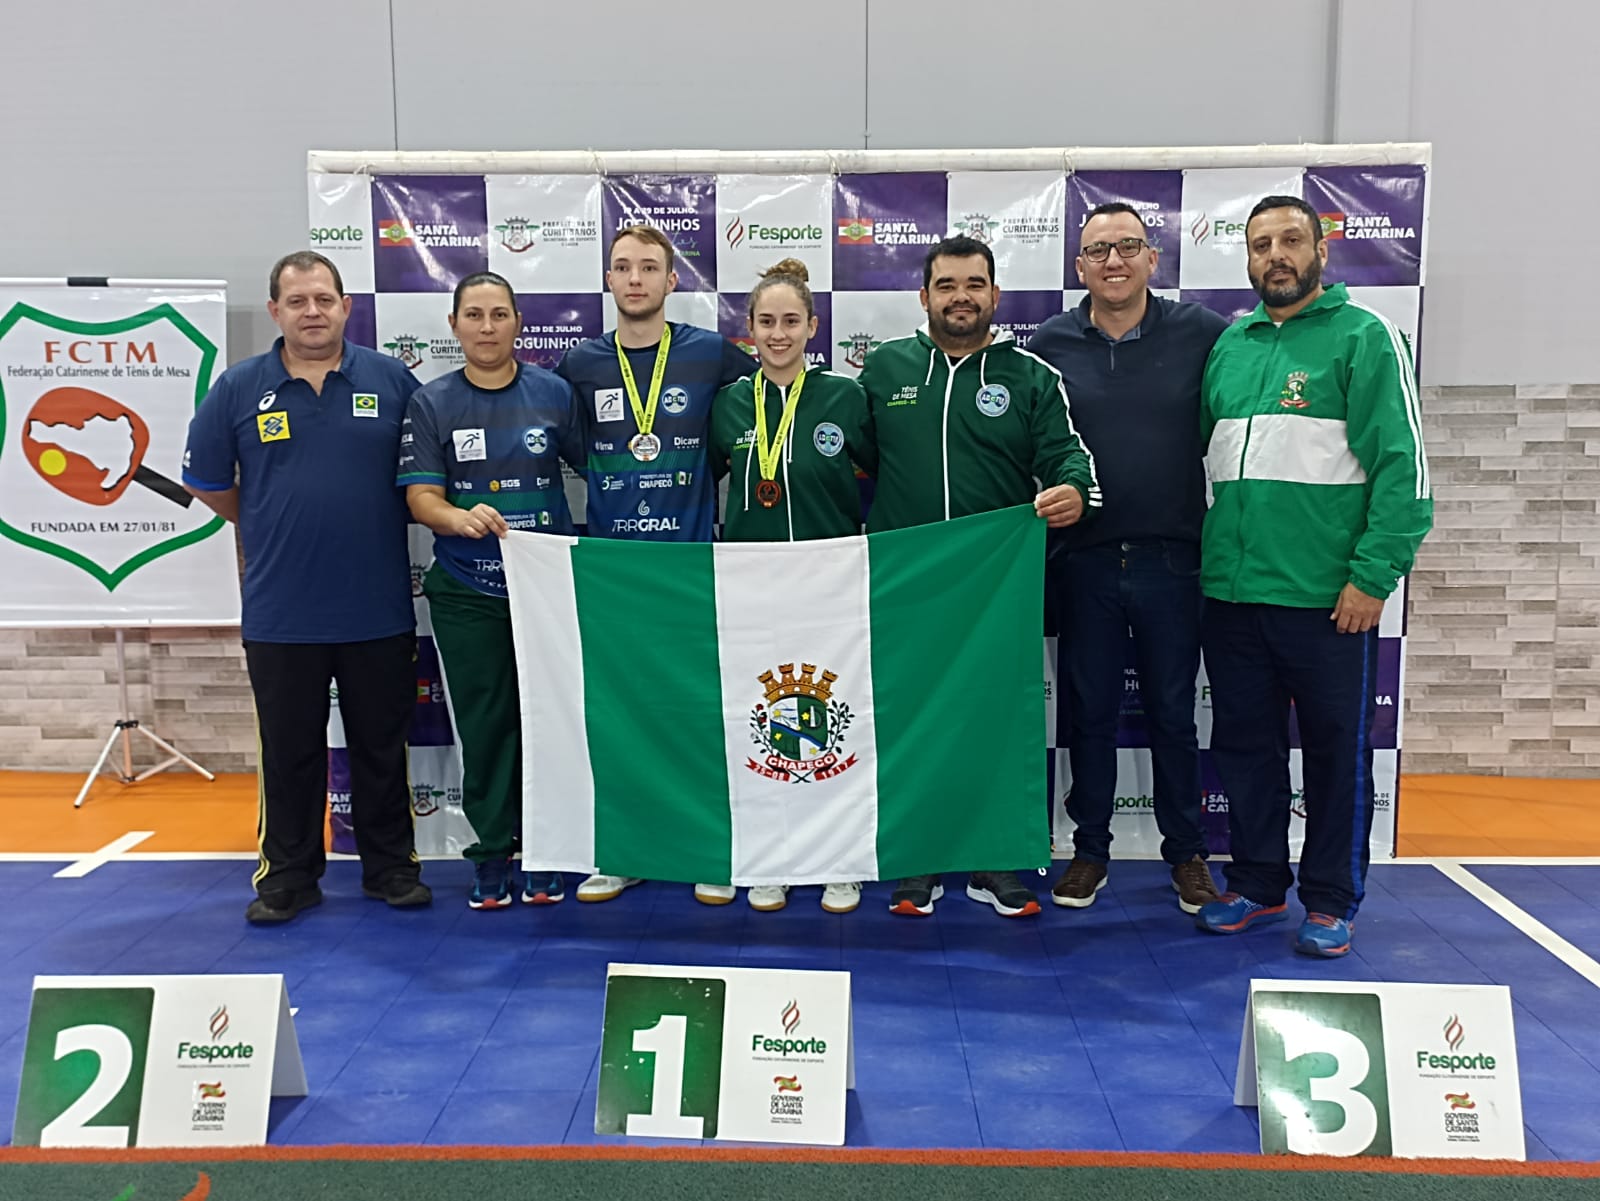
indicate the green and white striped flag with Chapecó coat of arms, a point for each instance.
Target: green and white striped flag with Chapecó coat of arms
{"x":785,"y":712}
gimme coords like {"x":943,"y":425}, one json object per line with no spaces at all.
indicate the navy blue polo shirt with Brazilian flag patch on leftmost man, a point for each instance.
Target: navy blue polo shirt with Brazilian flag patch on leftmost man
{"x":322,"y":524}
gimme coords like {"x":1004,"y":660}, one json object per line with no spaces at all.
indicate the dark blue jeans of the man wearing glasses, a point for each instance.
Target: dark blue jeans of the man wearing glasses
{"x":1151,"y":589}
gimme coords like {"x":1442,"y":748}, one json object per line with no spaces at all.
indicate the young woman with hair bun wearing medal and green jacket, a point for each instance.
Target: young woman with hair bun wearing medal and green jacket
{"x":791,"y":439}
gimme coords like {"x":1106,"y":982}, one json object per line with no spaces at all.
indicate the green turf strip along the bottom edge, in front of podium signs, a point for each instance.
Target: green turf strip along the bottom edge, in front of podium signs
{"x":516,"y":1181}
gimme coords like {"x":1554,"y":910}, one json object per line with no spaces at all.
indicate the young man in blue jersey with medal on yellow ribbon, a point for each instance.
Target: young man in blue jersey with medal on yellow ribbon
{"x":649,"y":476}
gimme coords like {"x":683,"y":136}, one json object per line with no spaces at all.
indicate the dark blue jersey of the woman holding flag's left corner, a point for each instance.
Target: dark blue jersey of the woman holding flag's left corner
{"x":495,"y":447}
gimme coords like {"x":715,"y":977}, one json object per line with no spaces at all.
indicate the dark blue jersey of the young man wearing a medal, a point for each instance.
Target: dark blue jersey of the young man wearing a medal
{"x":671,"y":498}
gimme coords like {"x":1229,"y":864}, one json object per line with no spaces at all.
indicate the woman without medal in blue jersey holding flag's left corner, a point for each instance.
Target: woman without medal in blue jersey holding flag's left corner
{"x":481,"y":455}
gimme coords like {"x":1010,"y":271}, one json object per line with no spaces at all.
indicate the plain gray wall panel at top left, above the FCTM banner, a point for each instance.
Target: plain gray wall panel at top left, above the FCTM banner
{"x":169,"y":138}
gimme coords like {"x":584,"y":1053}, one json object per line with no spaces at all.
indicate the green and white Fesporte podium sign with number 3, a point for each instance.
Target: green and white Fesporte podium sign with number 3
{"x":1382,"y":1069}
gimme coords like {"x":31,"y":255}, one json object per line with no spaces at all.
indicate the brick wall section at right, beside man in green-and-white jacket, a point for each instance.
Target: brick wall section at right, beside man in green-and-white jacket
{"x":1503,"y":668}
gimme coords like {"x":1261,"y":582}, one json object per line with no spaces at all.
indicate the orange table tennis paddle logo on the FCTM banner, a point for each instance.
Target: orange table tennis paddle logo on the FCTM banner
{"x":92,"y":449}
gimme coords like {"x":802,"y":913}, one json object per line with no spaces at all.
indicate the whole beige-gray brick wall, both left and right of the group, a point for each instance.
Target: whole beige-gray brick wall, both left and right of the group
{"x":1503,"y":674}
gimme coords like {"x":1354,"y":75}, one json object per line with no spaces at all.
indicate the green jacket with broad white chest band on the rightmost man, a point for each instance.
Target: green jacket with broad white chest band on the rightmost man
{"x":1314,"y":447}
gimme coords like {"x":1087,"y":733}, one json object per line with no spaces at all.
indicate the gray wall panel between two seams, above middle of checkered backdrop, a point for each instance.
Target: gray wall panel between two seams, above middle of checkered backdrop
{"x":630,"y":76}
